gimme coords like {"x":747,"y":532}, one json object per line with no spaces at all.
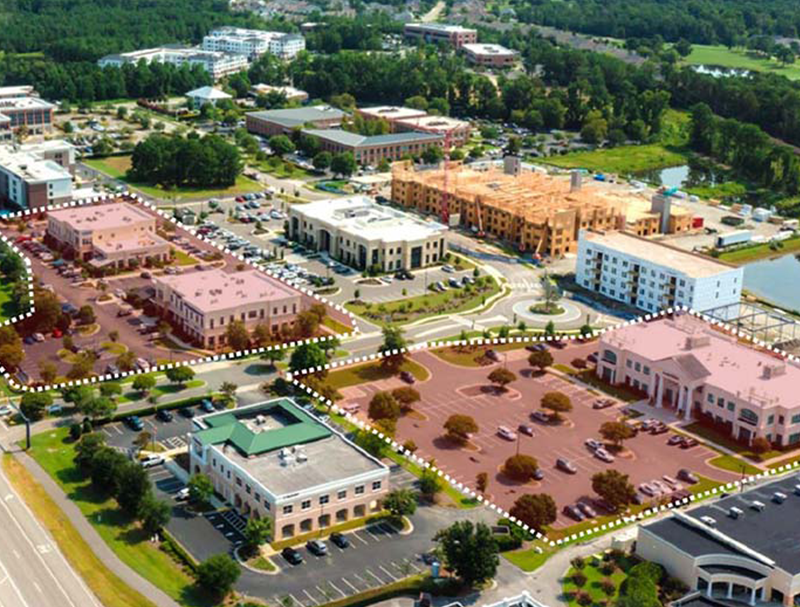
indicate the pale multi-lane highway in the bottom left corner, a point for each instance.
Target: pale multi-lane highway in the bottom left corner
{"x":33,"y":572}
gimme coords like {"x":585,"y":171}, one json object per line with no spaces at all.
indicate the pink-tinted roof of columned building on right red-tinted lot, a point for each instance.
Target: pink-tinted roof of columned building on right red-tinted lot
{"x":719,"y":358}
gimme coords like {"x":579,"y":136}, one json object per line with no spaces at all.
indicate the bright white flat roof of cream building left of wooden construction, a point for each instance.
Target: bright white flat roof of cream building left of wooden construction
{"x":362,"y":216}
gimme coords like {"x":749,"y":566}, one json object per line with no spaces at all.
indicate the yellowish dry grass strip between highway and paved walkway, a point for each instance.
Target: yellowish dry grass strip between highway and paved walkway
{"x":109,"y":589}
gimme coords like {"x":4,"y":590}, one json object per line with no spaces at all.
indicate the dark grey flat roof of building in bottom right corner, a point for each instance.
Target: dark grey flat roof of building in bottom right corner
{"x":771,"y":533}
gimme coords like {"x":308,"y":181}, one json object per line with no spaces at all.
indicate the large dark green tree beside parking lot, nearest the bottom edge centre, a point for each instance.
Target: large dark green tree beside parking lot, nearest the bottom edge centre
{"x":470,"y":551}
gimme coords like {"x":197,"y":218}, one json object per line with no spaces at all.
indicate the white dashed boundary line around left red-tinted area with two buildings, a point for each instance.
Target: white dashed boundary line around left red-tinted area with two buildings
{"x":136,"y":199}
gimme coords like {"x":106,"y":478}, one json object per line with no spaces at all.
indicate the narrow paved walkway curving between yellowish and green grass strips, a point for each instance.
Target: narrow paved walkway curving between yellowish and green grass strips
{"x":90,"y":535}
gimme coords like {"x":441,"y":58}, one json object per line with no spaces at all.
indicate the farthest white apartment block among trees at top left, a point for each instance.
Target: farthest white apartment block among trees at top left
{"x":253,"y":43}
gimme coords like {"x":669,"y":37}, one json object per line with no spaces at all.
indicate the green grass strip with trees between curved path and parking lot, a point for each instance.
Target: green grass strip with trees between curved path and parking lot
{"x":54,"y":452}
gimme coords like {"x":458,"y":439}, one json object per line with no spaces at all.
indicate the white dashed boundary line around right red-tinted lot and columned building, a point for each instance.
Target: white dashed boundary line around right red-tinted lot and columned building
{"x":472,"y":494}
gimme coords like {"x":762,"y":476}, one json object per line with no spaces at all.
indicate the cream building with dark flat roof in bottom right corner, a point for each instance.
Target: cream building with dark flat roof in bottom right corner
{"x":739,"y":550}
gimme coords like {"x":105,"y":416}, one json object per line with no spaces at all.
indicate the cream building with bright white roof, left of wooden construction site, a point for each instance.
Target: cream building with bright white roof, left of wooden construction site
{"x":361,"y":233}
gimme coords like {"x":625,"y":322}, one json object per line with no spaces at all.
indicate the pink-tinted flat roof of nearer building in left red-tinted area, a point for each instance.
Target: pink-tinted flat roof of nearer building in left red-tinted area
{"x":215,"y":290}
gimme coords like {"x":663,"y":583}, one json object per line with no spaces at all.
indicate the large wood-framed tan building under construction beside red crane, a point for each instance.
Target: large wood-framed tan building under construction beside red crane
{"x":536,"y":212}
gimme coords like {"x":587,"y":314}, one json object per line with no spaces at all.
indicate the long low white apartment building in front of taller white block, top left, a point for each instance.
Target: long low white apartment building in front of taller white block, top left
{"x":216,"y":63}
